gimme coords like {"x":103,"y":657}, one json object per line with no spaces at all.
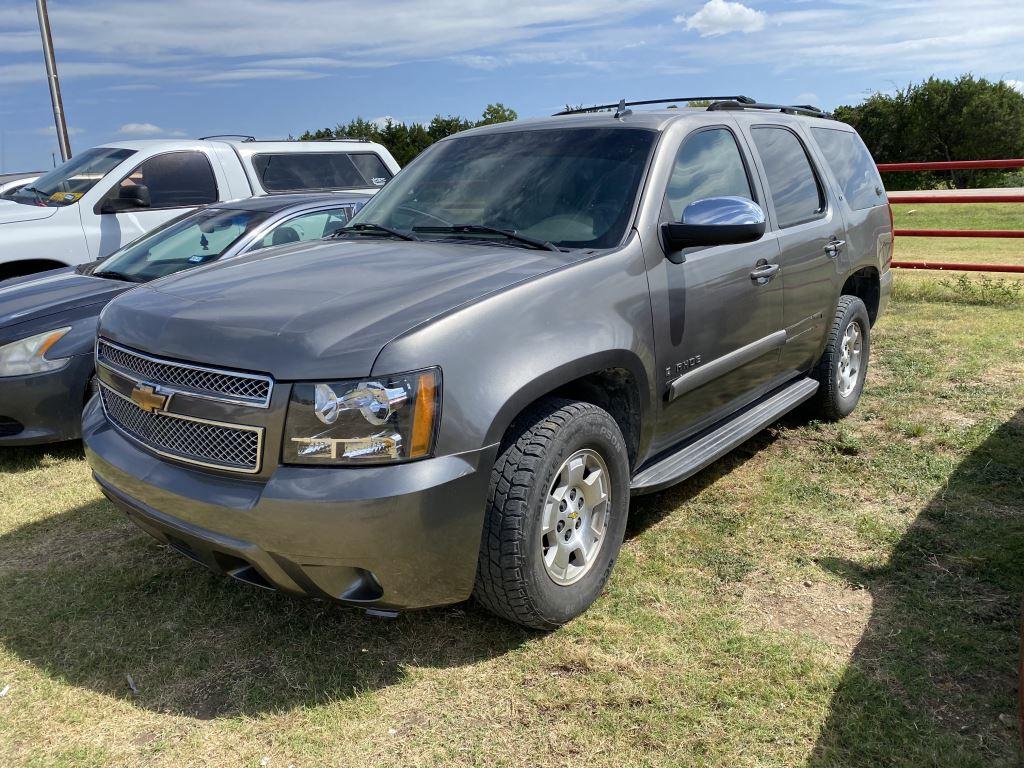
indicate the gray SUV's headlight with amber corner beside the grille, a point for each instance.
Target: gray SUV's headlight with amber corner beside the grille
{"x":376,"y":421}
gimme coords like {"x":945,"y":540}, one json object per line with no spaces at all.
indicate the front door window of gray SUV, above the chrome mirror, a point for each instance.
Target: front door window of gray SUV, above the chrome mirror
{"x":709,"y":165}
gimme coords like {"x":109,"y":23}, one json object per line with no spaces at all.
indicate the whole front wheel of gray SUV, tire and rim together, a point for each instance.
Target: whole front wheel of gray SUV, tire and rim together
{"x":557,"y":515}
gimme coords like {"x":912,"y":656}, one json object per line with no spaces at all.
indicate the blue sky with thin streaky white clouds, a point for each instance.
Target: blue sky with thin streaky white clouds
{"x":142,"y":69}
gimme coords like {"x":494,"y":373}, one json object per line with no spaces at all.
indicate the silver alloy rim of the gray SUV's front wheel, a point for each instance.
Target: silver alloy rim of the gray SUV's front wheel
{"x":575,"y":518}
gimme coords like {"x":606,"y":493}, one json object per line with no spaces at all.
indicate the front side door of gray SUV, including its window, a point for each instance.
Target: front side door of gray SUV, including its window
{"x":719,"y":325}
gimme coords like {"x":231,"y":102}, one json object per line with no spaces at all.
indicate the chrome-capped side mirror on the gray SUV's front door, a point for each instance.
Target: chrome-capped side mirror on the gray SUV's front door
{"x":714,"y":222}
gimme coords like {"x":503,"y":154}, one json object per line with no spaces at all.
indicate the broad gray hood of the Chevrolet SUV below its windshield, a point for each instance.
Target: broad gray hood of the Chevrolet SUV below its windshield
{"x":314,"y":312}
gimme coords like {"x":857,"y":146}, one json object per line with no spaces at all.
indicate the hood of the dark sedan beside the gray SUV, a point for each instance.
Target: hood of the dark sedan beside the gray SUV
{"x":50,"y":293}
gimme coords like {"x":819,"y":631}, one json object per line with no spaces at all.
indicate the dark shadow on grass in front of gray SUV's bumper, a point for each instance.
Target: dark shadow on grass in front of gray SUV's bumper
{"x":90,"y":600}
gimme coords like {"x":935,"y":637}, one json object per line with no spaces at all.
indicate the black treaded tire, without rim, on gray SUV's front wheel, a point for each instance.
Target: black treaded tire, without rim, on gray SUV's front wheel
{"x":513,"y":580}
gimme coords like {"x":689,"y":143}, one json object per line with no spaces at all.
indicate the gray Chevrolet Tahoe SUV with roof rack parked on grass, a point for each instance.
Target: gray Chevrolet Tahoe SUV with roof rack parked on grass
{"x":457,"y":395}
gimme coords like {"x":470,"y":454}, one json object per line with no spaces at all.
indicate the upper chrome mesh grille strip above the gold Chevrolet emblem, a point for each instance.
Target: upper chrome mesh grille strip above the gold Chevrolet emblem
{"x":228,"y":387}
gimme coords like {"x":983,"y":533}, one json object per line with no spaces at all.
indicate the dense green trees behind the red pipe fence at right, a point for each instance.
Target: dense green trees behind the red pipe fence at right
{"x":942,"y":120}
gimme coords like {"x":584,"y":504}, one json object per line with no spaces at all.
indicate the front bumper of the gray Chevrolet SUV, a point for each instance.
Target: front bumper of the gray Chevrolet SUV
{"x":393,"y":538}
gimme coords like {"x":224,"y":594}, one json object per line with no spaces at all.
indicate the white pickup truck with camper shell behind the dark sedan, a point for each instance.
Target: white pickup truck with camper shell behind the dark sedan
{"x":108,"y":196}
